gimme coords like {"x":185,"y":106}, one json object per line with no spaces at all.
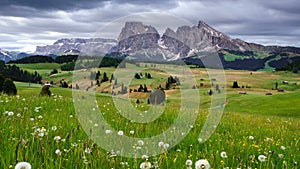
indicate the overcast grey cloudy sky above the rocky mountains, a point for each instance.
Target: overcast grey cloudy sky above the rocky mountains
{"x":25,"y":24}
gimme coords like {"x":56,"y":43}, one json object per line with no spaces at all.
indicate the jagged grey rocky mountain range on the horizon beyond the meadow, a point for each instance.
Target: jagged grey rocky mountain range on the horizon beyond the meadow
{"x":143,"y":42}
